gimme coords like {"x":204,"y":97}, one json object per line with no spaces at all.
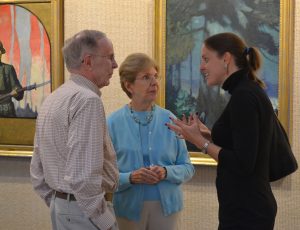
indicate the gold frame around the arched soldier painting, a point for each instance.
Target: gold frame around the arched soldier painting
{"x":17,"y":134}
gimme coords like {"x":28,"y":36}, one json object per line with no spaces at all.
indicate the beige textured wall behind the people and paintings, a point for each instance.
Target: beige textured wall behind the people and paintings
{"x":129,"y":23}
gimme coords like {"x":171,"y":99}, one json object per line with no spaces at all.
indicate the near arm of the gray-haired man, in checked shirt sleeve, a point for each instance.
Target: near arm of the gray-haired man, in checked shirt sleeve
{"x":84,"y":168}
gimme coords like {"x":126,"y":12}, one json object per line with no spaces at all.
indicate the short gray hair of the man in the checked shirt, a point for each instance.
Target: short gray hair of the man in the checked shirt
{"x":77,"y":46}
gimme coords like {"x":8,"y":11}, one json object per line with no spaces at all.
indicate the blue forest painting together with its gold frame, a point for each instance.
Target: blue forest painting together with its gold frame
{"x":182,"y":26}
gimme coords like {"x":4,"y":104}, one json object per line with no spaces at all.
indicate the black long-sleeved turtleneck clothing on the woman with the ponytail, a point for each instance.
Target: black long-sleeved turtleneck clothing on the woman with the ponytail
{"x":243,"y":132}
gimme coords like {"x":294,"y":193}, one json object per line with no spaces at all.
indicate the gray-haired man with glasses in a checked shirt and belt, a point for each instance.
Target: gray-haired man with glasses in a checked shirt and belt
{"x":74,"y":164}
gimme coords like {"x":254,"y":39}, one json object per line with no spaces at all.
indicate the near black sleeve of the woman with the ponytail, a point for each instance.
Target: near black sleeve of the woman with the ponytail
{"x":244,"y":119}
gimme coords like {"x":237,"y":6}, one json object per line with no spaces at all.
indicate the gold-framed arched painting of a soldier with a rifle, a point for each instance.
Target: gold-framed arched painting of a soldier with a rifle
{"x":31,"y":36}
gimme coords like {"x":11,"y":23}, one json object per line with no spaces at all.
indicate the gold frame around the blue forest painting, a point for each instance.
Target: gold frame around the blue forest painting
{"x":285,"y":66}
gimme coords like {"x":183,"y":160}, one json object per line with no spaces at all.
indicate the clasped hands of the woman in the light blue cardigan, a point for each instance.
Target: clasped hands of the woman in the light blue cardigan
{"x":145,"y":176}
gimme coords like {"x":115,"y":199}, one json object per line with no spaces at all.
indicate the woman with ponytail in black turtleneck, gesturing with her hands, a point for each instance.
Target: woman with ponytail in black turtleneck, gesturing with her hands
{"x":239,"y":139}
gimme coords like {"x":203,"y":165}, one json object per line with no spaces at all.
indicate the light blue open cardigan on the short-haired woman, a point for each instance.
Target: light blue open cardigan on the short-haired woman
{"x":165,"y":150}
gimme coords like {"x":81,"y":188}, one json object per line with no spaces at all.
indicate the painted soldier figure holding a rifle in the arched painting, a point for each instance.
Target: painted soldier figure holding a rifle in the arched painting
{"x":9,"y":85}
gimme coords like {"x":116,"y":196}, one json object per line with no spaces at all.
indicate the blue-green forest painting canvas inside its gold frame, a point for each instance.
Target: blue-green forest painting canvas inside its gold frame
{"x":188,"y":23}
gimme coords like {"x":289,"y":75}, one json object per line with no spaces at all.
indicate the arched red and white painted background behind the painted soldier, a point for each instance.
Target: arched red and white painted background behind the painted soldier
{"x":27,"y":49}
